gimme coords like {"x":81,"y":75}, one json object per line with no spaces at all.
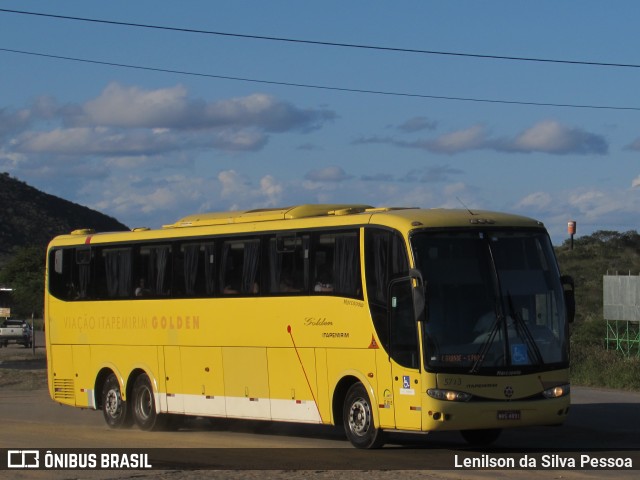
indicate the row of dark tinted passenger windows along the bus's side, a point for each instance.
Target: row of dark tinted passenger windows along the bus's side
{"x":315,"y":262}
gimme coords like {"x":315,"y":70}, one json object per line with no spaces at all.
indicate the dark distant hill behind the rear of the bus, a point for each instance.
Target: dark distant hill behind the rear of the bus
{"x":31,"y":217}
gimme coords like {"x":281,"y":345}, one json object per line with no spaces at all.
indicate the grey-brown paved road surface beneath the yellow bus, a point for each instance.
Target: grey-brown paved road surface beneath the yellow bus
{"x":601,"y":423}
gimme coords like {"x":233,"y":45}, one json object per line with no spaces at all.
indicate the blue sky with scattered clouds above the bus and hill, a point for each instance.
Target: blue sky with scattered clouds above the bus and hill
{"x":149,"y":147}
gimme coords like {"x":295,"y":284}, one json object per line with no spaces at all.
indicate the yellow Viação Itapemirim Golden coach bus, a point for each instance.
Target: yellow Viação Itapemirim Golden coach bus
{"x":374,"y":319}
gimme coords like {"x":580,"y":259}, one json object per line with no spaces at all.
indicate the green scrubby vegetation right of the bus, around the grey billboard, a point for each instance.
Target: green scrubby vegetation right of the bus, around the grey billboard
{"x":592,"y":257}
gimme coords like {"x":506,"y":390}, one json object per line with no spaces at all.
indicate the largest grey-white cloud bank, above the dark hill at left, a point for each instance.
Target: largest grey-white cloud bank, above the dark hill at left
{"x":126,"y":121}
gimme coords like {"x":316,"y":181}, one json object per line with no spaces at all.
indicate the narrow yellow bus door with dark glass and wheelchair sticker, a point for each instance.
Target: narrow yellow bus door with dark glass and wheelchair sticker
{"x":405,"y":356}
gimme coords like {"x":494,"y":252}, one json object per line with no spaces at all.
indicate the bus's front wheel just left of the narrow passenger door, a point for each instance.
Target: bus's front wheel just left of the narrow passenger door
{"x":358,"y":419}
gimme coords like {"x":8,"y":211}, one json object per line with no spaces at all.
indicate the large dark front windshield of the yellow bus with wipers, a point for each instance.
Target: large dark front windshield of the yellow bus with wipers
{"x":495,"y":302}
